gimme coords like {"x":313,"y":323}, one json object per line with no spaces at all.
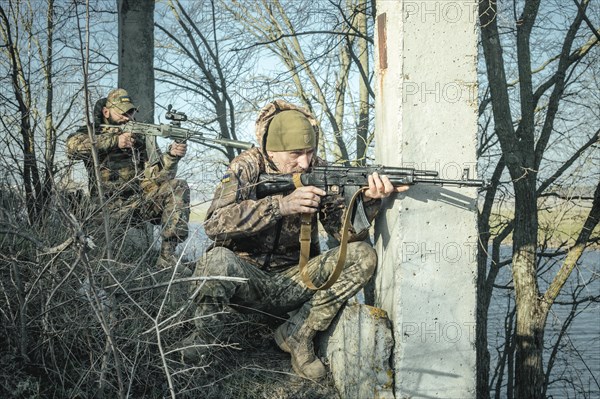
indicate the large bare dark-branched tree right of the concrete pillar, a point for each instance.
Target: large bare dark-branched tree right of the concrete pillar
{"x":524,"y":142}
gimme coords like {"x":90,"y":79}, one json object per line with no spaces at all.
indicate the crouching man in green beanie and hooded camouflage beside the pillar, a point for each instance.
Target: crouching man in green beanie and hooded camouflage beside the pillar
{"x":258,"y":239}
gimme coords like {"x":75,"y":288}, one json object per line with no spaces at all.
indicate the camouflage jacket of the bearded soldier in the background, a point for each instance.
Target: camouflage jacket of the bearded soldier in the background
{"x":123,"y":171}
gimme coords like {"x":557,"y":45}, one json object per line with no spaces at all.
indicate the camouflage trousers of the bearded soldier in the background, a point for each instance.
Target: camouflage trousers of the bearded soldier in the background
{"x":166,"y":204}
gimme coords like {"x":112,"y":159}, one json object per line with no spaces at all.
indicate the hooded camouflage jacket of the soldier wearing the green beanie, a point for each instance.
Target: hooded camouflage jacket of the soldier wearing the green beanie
{"x":254,"y":228}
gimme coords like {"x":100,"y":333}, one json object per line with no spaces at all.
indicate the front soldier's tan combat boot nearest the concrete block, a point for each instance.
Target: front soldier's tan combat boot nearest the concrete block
{"x":296,"y":338}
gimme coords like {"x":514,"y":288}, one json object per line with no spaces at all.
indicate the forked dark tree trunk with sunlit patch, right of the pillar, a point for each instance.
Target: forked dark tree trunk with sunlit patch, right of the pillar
{"x":519,"y":154}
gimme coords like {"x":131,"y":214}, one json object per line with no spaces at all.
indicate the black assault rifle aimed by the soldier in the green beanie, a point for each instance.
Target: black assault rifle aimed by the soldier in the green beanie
{"x":346,"y":180}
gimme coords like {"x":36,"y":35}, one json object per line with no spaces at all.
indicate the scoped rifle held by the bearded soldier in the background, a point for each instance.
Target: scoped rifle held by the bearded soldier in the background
{"x":174,"y":131}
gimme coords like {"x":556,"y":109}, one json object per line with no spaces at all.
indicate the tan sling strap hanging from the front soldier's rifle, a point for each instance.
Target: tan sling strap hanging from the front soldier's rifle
{"x":305,"y":239}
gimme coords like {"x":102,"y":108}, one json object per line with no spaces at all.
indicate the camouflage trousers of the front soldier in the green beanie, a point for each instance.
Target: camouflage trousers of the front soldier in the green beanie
{"x":277,"y":293}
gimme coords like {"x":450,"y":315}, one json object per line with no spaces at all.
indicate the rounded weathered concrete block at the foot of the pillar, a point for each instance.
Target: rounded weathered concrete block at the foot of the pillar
{"x":358,"y":346}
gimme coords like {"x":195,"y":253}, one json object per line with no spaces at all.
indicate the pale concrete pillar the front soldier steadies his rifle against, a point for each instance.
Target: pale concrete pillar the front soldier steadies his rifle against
{"x":426,"y":117}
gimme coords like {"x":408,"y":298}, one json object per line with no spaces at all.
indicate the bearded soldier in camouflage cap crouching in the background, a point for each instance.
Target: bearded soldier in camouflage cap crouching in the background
{"x":135,"y":176}
